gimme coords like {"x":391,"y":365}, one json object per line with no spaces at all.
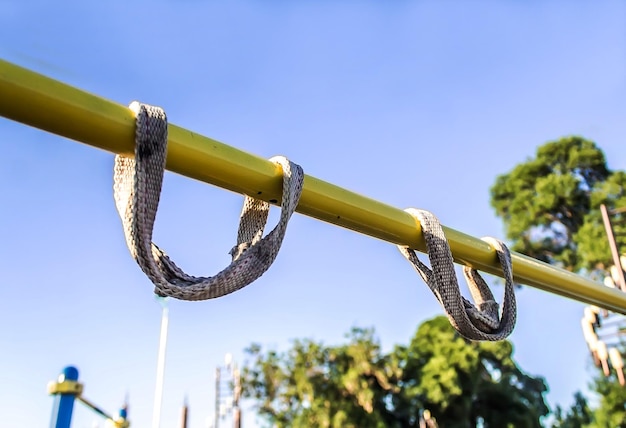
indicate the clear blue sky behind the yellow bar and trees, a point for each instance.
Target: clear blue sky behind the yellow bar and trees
{"x":414,"y":103}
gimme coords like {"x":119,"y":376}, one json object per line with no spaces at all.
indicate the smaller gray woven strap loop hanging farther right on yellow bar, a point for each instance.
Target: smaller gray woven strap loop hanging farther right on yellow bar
{"x":480,"y":322}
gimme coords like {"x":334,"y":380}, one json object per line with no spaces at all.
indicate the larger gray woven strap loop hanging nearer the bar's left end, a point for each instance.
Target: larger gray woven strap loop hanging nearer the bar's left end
{"x":137,"y":189}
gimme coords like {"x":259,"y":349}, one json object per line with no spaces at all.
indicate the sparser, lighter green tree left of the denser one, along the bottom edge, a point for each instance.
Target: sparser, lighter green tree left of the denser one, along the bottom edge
{"x":312,"y":385}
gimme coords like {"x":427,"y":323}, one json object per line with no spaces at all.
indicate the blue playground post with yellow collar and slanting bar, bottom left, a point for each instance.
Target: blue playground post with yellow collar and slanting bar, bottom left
{"x":66,"y":390}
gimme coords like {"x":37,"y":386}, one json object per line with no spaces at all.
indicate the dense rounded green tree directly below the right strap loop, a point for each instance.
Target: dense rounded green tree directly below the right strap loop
{"x":463,"y":383}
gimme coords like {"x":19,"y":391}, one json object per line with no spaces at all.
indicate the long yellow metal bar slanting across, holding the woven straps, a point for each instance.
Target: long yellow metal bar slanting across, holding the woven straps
{"x":55,"y":107}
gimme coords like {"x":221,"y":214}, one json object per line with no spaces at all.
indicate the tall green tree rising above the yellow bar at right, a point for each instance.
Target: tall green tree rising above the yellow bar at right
{"x":550,"y":204}
